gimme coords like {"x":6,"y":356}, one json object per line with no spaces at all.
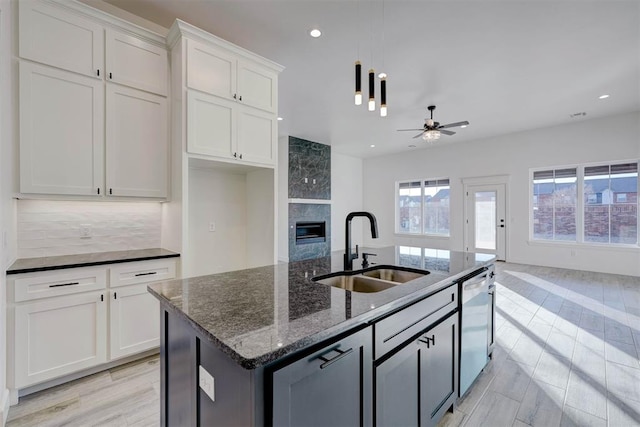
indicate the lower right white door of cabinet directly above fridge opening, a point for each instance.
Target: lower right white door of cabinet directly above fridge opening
{"x":257,"y":135}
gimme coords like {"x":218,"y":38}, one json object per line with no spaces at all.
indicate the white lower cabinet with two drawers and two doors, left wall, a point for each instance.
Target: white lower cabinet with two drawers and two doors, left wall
{"x":65,"y":321}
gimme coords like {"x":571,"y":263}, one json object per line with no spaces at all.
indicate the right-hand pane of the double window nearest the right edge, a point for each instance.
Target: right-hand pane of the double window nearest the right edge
{"x":611,"y":214}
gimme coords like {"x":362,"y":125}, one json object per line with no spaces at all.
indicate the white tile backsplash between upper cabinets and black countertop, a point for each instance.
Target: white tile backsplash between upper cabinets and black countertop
{"x":49,"y":228}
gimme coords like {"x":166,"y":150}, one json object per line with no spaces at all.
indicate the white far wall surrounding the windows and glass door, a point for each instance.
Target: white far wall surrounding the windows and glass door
{"x":601,"y":140}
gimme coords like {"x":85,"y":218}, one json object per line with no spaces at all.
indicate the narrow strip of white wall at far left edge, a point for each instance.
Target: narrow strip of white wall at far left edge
{"x":7,"y":182}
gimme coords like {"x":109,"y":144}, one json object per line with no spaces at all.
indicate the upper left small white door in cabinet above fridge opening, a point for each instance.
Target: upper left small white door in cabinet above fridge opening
{"x":211,"y":70}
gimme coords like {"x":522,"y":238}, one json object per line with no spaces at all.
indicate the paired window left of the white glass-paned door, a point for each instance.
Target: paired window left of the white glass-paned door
{"x":423,"y":207}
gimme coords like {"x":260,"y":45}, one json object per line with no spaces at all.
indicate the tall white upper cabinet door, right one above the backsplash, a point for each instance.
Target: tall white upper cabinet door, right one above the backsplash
{"x":137,"y":145}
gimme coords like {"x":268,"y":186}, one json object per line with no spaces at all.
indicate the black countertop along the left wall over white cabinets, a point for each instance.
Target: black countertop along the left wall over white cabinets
{"x":30,"y":265}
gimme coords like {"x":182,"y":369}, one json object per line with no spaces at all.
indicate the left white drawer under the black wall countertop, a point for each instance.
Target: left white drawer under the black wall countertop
{"x":57,"y":283}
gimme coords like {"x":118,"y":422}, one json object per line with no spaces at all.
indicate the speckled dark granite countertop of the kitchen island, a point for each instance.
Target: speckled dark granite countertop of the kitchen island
{"x":259,"y":315}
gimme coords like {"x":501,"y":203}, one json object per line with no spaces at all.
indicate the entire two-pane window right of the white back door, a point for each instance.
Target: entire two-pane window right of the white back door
{"x":609,"y":204}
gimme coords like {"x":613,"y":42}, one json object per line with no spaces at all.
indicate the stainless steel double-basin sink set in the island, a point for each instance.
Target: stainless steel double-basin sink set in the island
{"x":374,"y":279}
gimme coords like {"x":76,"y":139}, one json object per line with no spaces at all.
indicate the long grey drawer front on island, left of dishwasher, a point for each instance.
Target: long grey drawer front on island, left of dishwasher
{"x":397,"y":328}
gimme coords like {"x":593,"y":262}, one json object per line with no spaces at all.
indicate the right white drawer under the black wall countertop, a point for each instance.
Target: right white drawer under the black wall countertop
{"x":131,"y":273}
